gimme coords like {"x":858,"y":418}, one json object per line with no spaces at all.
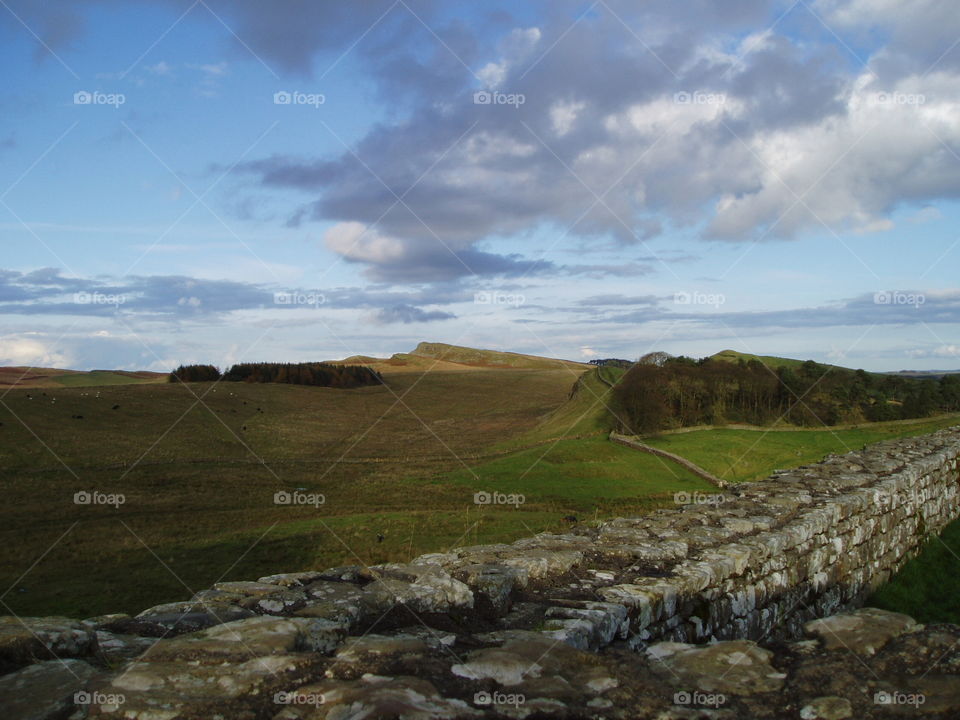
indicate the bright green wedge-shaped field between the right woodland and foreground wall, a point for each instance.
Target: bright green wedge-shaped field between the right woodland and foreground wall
{"x":740,"y":455}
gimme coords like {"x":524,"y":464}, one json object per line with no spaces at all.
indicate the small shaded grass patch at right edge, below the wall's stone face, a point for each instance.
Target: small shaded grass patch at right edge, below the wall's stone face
{"x":927,"y":587}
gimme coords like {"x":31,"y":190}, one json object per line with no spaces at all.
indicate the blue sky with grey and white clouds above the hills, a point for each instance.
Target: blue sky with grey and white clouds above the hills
{"x":220,"y":180}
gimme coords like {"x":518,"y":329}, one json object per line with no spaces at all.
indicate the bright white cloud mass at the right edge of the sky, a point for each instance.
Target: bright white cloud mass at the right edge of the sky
{"x":850,"y":172}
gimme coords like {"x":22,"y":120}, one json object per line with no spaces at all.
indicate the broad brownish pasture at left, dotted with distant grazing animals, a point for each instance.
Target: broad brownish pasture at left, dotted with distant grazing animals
{"x":199,"y":501}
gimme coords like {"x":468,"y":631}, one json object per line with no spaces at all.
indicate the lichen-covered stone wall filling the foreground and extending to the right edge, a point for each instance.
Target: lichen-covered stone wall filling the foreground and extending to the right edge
{"x":740,"y":607}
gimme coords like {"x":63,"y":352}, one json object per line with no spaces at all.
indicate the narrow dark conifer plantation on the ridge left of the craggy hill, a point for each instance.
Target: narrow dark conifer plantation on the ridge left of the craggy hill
{"x":316,"y":373}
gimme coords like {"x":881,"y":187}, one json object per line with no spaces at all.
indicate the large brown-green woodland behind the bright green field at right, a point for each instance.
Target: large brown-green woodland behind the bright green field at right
{"x":681,"y":392}
